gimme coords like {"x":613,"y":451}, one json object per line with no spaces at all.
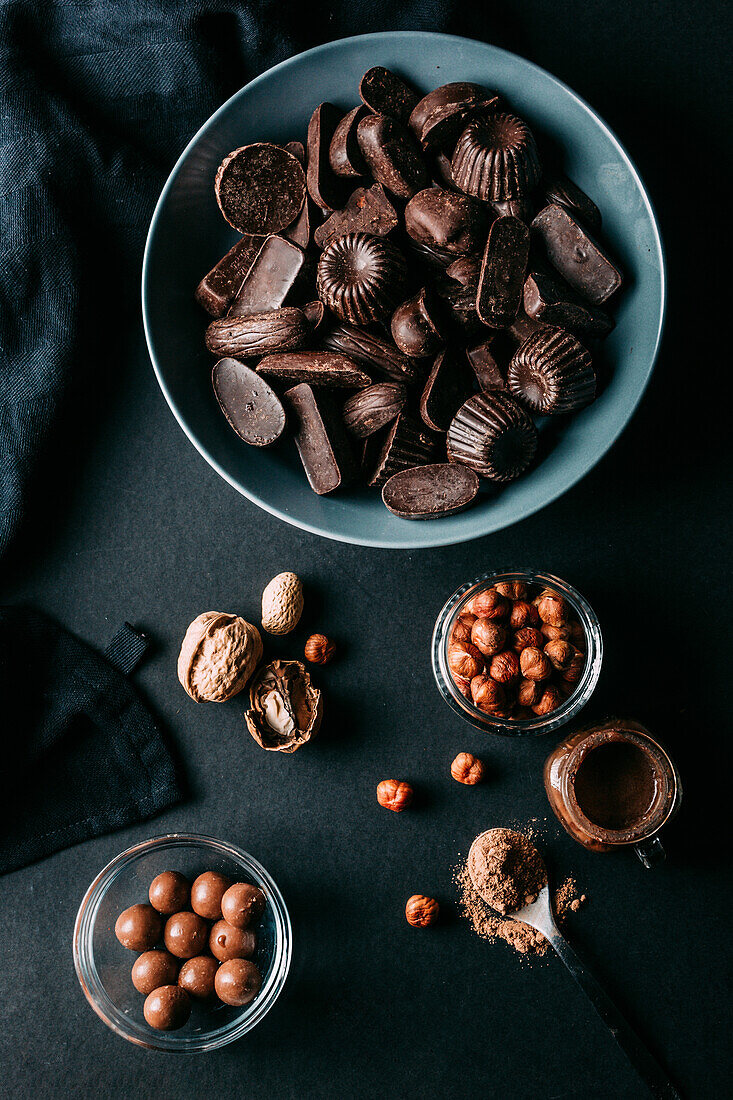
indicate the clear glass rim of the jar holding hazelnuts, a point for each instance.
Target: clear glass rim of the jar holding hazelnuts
{"x":517,"y":728}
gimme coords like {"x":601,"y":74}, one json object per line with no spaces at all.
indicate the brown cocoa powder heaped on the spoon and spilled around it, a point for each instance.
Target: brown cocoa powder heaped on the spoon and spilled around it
{"x":510,"y":872}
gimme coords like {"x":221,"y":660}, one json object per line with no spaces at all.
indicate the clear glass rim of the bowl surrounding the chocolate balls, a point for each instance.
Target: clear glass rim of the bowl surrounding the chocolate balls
{"x":172,"y":1042}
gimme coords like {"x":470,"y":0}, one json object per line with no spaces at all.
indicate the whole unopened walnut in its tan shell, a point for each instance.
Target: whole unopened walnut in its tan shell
{"x":218,"y":656}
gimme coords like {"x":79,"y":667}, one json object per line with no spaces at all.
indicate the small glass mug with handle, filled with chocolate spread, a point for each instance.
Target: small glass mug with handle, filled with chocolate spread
{"x":612,"y":786}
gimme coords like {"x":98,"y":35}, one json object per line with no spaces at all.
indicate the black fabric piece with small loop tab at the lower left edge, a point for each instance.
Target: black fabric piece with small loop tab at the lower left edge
{"x":82,"y":754}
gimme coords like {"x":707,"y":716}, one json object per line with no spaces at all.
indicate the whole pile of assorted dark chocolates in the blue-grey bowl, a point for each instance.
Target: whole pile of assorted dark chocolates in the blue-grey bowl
{"x":418,"y":255}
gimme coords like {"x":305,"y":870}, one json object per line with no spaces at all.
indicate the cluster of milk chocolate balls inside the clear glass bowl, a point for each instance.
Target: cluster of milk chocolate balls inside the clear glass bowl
{"x":209,"y":941}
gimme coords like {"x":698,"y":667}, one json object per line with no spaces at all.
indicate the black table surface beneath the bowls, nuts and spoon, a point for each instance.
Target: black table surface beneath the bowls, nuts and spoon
{"x":137,"y":526}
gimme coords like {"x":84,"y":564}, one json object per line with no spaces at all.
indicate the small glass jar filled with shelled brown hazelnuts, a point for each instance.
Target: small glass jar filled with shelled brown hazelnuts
{"x":517,"y":653}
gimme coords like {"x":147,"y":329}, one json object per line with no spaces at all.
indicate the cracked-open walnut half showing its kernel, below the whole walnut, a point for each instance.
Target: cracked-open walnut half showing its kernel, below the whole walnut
{"x":287,"y":710}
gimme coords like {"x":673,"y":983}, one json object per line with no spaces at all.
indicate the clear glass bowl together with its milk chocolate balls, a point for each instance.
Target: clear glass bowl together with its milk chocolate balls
{"x":183,"y":943}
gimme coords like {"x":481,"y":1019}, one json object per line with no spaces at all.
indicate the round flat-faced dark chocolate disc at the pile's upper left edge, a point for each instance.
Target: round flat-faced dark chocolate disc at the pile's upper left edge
{"x":260,"y":189}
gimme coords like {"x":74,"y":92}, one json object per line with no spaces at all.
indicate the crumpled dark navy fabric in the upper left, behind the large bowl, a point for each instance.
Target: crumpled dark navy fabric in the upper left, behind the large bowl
{"x":97,"y":100}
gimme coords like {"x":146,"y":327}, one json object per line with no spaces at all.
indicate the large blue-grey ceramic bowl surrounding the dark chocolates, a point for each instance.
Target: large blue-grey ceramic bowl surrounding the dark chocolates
{"x":188,"y":236}
